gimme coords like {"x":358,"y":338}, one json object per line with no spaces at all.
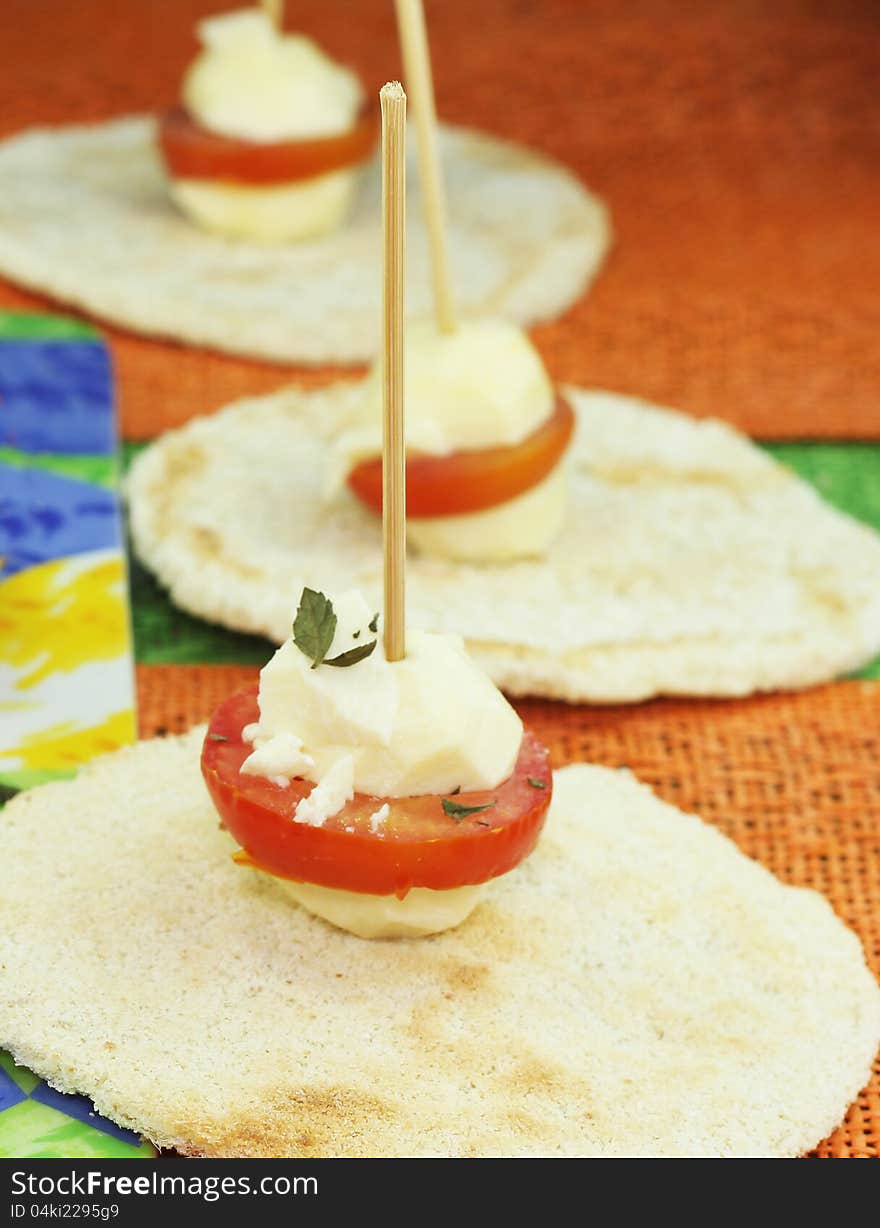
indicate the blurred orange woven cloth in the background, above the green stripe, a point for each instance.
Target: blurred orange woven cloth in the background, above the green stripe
{"x":737,"y":144}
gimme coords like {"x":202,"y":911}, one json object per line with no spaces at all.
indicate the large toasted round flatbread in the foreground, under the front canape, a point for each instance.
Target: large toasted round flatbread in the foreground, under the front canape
{"x":636,"y":988}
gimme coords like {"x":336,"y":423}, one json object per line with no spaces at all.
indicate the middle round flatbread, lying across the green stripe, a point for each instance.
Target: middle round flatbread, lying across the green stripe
{"x":690,"y":564}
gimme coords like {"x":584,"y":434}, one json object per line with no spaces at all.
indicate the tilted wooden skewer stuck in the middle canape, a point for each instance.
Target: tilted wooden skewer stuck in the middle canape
{"x":414,"y":42}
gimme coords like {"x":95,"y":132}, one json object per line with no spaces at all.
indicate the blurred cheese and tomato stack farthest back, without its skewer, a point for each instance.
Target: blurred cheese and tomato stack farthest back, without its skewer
{"x":269,"y":136}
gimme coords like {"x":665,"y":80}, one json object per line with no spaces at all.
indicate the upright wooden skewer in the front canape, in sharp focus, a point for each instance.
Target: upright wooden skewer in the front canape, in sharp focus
{"x":393,"y":103}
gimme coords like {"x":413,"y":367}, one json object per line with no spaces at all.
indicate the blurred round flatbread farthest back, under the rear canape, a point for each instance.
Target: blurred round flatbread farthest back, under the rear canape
{"x":85,"y":218}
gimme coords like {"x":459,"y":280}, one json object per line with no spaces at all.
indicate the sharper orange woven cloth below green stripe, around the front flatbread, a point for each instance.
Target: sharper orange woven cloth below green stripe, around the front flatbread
{"x":793,"y":779}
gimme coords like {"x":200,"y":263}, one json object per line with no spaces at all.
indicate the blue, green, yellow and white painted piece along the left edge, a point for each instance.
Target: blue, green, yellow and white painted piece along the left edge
{"x":67,"y":690}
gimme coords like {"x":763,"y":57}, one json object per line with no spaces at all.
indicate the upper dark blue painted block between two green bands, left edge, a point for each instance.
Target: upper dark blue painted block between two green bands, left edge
{"x":57,"y":397}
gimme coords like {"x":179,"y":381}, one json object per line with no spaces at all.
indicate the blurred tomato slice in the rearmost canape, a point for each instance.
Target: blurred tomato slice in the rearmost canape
{"x":193,"y":153}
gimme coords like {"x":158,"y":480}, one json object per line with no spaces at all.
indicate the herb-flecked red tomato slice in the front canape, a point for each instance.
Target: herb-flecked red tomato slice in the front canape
{"x":420,"y":845}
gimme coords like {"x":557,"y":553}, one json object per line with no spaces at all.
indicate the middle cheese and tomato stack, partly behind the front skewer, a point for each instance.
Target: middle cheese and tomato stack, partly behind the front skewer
{"x":487,"y":439}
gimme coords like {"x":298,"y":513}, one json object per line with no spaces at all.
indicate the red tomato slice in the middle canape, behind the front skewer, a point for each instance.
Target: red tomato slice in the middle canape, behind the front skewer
{"x":472,"y":482}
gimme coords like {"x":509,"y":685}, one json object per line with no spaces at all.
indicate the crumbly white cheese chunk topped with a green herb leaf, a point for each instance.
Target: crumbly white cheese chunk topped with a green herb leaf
{"x":429,"y":724}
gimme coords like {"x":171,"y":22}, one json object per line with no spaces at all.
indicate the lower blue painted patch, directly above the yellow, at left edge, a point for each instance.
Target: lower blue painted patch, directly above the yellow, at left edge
{"x":47,"y":516}
